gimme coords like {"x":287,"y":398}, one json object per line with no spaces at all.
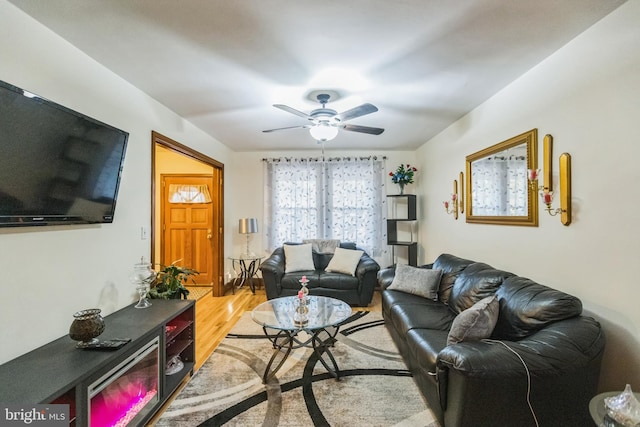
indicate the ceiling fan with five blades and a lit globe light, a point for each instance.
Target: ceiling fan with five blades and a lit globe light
{"x":326,"y":122}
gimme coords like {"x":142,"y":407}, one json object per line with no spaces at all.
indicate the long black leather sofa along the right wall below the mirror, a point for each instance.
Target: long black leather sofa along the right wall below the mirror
{"x":484,"y":383}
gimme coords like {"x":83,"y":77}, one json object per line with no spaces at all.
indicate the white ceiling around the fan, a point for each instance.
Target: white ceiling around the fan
{"x":222,"y":64}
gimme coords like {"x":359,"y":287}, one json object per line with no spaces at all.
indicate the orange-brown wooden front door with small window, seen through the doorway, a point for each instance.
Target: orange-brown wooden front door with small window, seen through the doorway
{"x":188,"y":228}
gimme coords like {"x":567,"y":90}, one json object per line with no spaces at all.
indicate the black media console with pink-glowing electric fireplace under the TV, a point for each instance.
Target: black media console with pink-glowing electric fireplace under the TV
{"x":125,"y":386}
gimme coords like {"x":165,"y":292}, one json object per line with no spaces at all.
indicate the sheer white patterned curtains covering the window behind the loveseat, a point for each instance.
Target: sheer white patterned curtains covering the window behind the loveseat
{"x":337,"y":198}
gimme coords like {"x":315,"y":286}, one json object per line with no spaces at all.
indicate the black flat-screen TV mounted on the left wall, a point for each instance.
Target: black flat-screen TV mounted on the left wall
{"x":57,"y":166}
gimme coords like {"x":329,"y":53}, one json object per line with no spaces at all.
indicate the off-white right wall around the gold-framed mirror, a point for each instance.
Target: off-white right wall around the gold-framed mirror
{"x":587,"y":96}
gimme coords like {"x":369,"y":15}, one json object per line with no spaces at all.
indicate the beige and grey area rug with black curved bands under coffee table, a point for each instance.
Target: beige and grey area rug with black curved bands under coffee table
{"x":375,"y":387}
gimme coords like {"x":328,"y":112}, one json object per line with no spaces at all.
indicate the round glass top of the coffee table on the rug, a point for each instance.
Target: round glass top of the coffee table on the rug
{"x":323,"y":312}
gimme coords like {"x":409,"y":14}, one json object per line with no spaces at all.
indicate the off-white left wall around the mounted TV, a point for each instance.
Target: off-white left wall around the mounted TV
{"x":49,"y":273}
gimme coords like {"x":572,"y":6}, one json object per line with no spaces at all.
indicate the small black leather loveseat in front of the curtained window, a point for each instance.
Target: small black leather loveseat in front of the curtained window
{"x":354,"y":290}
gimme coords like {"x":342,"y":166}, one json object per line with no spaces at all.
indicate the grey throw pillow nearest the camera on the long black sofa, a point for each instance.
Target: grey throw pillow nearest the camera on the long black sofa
{"x":476,"y":322}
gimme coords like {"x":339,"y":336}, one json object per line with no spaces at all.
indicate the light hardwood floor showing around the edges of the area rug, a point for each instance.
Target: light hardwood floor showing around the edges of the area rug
{"x":215,"y":316}
